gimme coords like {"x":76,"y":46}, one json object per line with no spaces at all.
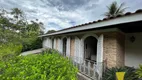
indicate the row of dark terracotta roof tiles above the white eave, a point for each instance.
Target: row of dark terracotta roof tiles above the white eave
{"x":109,"y":18}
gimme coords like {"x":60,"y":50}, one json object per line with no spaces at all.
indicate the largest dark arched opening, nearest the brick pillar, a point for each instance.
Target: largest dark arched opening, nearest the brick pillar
{"x":90,"y":48}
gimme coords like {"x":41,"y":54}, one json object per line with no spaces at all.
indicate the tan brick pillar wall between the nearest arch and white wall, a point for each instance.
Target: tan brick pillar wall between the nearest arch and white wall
{"x":114,"y":46}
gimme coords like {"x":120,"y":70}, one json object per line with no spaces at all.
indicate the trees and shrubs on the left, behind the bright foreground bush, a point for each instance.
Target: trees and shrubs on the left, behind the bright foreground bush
{"x":17,"y":33}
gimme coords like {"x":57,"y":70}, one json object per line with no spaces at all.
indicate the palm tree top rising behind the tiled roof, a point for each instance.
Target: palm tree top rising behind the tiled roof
{"x":114,"y":9}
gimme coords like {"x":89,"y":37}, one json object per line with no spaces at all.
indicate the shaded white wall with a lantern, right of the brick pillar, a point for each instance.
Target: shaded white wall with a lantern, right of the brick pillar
{"x":133,"y":51}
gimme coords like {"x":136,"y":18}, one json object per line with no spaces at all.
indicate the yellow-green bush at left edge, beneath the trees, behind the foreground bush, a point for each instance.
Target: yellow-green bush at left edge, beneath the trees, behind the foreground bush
{"x":9,"y":50}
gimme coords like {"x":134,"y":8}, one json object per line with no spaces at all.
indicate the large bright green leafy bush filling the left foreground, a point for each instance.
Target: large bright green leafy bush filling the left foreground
{"x":39,"y":67}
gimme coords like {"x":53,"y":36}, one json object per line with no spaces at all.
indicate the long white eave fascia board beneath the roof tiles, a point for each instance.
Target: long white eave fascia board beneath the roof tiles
{"x":105,"y":23}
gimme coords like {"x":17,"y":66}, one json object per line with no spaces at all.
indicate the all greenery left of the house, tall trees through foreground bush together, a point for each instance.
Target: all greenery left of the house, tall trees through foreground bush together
{"x":16,"y":35}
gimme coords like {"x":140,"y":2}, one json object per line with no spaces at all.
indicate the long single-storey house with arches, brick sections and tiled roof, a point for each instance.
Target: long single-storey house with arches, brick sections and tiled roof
{"x":117,"y":41}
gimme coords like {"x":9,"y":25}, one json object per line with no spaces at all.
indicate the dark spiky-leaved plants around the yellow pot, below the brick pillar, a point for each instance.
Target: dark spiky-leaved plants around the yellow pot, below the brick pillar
{"x":110,"y":74}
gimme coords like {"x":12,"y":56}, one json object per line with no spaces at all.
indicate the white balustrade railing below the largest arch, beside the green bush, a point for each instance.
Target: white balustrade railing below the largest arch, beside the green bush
{"x":88,"y":67}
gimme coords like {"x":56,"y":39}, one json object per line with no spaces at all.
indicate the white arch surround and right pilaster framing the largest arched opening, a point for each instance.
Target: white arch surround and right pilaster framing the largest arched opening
{"x":99,"y":65}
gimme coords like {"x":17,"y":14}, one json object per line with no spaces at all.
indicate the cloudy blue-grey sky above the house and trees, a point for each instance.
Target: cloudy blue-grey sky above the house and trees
{"x":60,"y":14}
